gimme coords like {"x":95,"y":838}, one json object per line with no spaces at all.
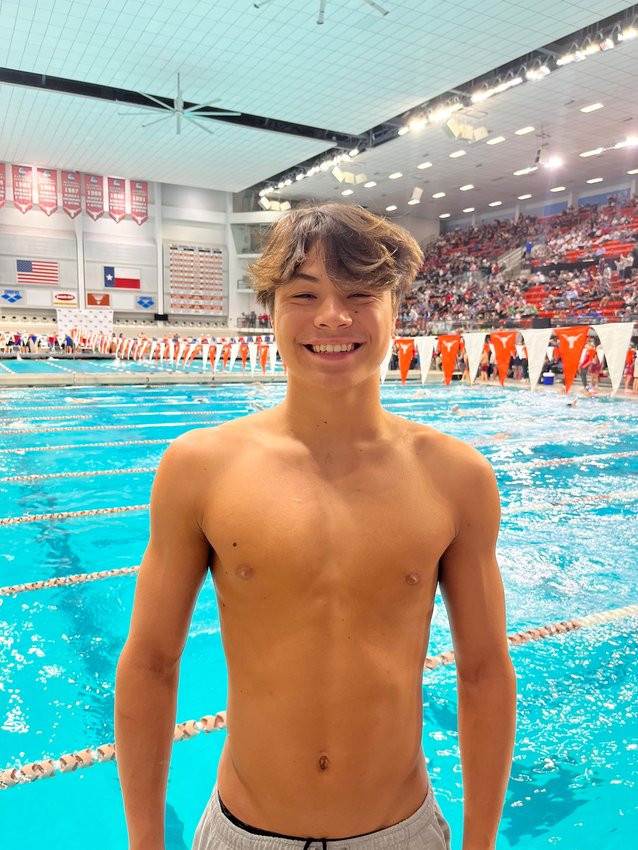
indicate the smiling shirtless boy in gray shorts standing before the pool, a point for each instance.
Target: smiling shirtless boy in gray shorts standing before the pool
{"x":325,"y":588}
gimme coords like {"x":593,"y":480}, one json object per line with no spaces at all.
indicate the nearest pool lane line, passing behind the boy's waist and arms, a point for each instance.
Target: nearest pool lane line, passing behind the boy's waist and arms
{"x":69,"y":762}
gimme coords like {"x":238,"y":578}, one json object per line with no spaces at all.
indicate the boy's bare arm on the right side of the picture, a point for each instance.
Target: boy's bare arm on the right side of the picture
{"x":473,"y":594}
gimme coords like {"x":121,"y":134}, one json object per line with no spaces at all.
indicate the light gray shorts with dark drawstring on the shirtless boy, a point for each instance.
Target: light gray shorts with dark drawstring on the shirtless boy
{"x":426,"y":829}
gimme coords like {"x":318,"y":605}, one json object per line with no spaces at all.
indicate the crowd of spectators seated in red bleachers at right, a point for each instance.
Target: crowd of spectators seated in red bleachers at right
{"x":581,"y":264}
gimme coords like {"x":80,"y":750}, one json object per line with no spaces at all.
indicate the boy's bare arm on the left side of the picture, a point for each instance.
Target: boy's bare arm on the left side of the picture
{"x":171,"y":574}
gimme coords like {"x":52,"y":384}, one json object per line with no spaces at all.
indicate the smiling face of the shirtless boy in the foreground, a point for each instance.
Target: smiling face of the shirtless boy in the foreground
{"x":312,"y":313}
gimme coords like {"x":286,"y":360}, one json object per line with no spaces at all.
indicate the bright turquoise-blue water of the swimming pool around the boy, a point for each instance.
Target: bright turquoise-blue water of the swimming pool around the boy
{"x":563,"y":553}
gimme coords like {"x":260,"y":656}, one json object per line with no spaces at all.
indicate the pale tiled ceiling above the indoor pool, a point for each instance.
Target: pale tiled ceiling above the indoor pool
{"x":356,"y":70}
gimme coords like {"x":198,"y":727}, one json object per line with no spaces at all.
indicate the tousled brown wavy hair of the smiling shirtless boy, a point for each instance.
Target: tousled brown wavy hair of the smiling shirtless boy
{"x":357,"y":247}
